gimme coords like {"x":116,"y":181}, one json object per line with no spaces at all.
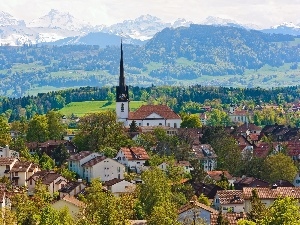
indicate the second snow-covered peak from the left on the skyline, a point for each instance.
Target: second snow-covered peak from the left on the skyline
{"x":62,"y":20}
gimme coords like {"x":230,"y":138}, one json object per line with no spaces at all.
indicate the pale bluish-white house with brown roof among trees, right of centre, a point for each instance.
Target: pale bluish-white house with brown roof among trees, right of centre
{"x":206,"y":155}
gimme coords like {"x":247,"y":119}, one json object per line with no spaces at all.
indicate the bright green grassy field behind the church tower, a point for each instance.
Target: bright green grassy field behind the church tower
{"x":82,"y":108}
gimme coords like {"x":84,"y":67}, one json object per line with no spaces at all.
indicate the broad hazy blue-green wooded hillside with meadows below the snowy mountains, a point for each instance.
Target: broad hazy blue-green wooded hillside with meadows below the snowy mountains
{"x":208,"y":55}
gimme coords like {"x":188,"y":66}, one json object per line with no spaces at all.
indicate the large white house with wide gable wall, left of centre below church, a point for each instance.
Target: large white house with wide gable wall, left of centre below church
{"x":102,"y":168}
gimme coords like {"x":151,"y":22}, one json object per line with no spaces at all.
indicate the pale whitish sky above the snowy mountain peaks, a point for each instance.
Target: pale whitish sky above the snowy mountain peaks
{"x":263,"y":13}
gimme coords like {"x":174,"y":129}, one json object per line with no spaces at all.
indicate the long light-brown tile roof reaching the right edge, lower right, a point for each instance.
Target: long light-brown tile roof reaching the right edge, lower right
{"x":272,"y":193}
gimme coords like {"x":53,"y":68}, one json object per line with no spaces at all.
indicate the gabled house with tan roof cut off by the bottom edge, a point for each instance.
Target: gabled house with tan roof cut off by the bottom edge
{"x":193,"y":211}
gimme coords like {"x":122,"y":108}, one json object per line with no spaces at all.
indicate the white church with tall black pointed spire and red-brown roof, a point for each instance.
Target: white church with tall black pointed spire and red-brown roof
{"x":146,"y":115}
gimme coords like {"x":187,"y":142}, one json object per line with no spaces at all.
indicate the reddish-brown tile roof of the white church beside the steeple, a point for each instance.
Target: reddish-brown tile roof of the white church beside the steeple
{"x":145,"y":110}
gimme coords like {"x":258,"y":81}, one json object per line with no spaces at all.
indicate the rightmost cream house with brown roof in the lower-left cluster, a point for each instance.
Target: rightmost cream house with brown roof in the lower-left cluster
{"x":52,"y":180}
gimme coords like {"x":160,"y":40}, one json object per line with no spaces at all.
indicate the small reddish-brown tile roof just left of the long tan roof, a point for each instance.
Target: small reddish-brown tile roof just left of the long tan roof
{"x":231,"y":197}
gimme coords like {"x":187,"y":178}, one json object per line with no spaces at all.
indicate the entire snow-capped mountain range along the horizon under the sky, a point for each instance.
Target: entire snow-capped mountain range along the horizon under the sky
{"x":61,"y":28}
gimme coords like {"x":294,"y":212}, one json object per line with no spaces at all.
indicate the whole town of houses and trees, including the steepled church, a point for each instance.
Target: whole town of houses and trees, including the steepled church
{"x":149,"y":166}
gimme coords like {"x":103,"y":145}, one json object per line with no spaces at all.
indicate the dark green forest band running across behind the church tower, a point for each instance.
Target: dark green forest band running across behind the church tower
{"x":180,"y":99}
